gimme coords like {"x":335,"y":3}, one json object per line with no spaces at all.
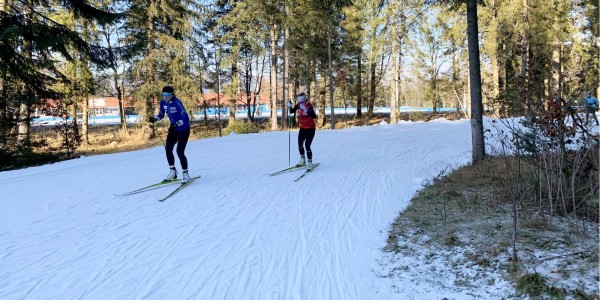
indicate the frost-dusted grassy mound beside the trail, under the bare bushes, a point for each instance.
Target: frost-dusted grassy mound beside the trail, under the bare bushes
{"x":471,"y":208}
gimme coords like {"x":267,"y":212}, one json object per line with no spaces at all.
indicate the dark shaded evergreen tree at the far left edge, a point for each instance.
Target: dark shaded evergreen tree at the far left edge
{"x":30,"y":42}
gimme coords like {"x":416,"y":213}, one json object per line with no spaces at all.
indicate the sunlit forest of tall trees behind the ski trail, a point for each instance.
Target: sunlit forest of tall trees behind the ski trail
{"x":361,"y":54}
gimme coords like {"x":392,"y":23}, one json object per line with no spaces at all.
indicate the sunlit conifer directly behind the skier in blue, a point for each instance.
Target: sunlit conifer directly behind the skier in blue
{"x":159,"y":31}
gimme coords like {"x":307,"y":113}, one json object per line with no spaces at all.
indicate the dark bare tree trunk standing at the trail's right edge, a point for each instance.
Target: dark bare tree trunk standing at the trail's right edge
{"x":475,"y":82}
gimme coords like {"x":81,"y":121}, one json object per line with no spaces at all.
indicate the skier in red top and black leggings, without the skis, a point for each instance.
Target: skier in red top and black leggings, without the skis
{"x":306,"y":116}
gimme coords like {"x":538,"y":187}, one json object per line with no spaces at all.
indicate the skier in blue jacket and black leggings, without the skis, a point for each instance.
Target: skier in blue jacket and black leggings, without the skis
{"x":179,"y":131}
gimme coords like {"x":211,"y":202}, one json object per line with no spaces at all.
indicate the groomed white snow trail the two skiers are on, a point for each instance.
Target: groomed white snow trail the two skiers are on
{"x":235,"y":233}
